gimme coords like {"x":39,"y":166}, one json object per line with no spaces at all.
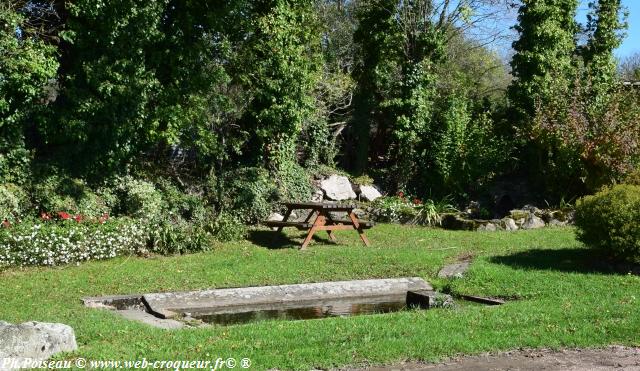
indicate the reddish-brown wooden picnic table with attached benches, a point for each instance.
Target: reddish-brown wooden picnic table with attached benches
{"x":323,"y":220}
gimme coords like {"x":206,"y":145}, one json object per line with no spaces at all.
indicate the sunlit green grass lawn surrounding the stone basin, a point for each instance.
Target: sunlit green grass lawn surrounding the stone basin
{"x":561,"y":298}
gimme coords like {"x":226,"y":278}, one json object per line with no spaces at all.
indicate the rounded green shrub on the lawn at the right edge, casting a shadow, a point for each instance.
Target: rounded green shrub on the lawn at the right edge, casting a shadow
{"x":609,"y":221}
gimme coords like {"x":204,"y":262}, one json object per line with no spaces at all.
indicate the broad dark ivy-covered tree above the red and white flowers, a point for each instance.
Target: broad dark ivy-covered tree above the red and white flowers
{"x":106,"y":110}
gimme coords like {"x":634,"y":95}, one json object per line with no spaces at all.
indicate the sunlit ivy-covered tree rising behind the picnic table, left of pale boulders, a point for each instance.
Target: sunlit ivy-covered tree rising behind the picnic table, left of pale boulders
{"x":282,"y":66}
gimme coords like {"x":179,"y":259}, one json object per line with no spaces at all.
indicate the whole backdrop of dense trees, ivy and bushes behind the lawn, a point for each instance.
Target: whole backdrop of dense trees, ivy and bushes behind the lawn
{"x":200,"y":116}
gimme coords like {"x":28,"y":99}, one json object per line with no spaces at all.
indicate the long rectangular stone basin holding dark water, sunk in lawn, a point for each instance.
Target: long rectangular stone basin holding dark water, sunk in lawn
{"x":227,"y":306}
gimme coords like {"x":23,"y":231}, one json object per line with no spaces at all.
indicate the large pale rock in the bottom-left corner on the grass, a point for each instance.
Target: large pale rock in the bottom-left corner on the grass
{"x":33,"y":342}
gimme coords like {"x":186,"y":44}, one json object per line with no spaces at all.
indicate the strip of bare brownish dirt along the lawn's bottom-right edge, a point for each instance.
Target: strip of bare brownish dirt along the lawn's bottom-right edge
{"x":612,"y":358}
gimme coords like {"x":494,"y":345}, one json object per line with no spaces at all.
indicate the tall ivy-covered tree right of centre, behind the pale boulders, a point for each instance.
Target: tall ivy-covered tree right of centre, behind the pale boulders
{"x":400,"y":46}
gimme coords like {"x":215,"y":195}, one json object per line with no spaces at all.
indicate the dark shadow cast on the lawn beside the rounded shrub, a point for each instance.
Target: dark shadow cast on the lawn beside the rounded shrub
{"x":566,"y":260}
